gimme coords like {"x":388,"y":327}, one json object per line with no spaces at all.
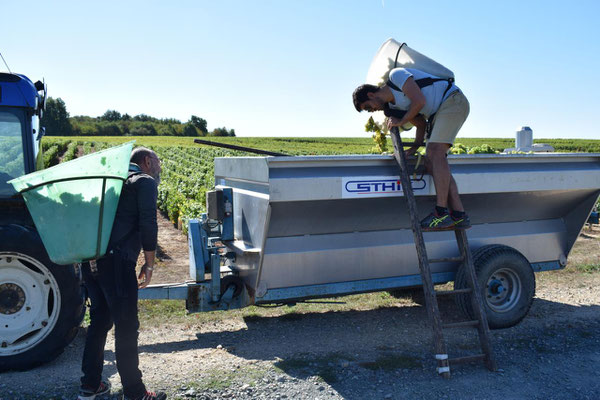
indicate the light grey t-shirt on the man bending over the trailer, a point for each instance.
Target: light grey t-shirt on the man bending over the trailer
{"x":434,"y":94}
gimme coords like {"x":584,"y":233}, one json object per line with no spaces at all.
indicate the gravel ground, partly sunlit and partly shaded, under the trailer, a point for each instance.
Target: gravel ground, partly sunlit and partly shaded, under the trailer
{"x":378,"y":353}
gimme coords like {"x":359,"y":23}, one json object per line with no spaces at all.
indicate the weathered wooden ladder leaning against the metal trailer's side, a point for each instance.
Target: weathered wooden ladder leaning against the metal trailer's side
{"x":431,"y":295}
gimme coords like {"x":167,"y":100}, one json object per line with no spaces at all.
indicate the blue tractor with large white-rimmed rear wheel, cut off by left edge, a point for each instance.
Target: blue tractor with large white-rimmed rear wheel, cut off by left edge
{"x":41,"y":303}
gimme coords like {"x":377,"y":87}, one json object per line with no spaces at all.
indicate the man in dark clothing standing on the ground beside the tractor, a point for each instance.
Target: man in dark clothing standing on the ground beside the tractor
{"x":112,"y":284}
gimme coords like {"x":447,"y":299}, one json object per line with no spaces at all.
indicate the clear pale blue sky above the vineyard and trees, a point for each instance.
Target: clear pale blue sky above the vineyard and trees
{"x":288,"y":68}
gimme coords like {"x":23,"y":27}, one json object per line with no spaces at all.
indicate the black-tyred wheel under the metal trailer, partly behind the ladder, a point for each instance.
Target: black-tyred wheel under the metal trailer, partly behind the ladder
{"x":507,"y":284}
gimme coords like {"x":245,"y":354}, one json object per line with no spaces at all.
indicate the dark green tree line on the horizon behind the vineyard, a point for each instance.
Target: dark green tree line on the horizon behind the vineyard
{"x":57,"y":122}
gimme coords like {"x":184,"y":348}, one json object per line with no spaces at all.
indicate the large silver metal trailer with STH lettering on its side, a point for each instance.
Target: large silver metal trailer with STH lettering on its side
{"x":284,"y":229}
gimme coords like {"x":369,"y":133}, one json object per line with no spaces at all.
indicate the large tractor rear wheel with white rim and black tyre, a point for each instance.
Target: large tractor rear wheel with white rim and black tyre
{"x":41,"y":303}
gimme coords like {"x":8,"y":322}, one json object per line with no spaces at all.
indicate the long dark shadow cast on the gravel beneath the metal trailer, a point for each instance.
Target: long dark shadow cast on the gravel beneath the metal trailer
{"x":394,"y":345}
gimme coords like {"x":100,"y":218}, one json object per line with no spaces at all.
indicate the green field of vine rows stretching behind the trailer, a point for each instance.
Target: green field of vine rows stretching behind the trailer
{"x":188,"y":167}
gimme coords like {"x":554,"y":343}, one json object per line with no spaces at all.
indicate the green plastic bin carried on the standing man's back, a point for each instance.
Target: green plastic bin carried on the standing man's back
{"x":73,"y":204}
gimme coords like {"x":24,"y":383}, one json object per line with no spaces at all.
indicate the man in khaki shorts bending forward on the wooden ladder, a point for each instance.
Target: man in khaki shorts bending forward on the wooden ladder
{"x":432,"y":105}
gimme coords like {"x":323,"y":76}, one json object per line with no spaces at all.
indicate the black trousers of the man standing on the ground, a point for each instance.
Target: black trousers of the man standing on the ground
{"x":113,"y":295}
